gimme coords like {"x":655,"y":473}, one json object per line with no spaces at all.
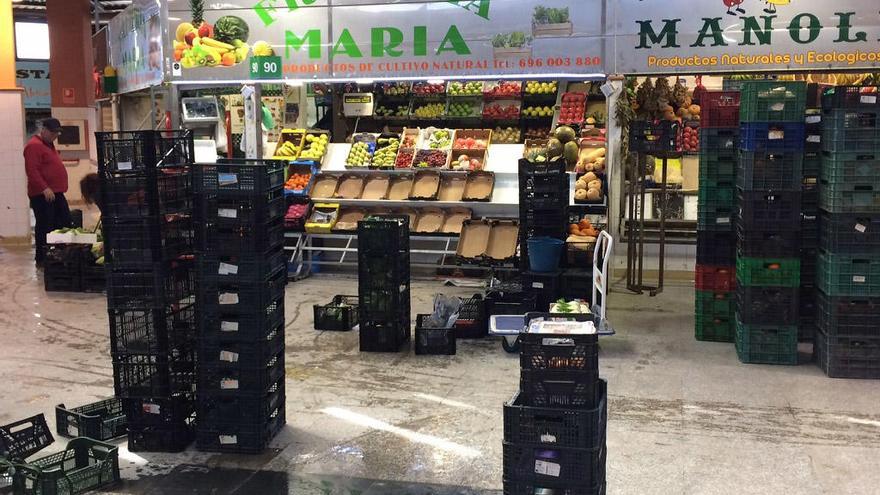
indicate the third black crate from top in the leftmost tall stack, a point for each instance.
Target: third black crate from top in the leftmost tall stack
{"x":138,"y":244}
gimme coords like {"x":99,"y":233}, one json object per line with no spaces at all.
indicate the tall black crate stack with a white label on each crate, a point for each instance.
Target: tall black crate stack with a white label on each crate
{"x":241,"y":279}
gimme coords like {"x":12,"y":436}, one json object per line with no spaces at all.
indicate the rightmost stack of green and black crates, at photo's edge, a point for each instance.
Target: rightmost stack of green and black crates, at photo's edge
{"x":847,"y":343}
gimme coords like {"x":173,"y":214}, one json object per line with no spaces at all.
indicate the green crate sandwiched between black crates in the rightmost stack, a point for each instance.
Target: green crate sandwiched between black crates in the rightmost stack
{"x":848,"y":275}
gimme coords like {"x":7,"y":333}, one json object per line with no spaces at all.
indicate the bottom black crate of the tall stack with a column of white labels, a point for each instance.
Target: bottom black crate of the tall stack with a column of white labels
{"x":240,"y":438}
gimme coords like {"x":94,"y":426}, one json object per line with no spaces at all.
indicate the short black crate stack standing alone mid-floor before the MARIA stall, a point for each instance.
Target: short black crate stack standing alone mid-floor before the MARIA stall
{"x":384,"y":283}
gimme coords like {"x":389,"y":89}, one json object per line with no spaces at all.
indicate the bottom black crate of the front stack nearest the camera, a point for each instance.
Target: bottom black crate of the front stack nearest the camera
{"x":555,"y":465}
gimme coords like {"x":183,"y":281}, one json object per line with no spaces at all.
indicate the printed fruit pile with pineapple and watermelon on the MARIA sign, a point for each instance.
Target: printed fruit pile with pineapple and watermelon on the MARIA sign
{"x":200,"y":44}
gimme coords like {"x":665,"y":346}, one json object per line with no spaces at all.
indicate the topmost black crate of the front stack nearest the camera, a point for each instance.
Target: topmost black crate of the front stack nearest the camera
{"x":556,"y":353}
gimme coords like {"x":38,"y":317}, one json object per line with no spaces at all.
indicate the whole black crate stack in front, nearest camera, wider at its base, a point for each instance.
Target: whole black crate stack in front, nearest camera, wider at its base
{"x":555,"y":427}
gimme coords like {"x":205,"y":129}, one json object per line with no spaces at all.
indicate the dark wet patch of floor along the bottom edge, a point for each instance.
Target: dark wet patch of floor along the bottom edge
{"x":192,"y":479}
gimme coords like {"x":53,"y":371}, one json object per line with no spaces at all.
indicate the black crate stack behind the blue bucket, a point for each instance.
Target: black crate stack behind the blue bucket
{"x":543,"y":212}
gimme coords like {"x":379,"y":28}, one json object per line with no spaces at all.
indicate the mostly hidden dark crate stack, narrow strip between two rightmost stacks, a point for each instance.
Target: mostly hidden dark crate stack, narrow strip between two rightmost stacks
{"x":810,"y":222}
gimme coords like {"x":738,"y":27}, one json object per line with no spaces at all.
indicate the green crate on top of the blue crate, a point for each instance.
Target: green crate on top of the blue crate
{"x":773,"y":101}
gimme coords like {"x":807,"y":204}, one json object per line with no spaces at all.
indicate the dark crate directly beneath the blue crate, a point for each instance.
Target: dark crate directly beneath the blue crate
{"x":770,"y":171}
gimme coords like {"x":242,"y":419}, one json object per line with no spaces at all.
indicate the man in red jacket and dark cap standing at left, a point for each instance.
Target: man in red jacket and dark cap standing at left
{"x":47,"y":183}
